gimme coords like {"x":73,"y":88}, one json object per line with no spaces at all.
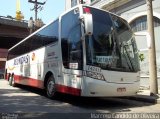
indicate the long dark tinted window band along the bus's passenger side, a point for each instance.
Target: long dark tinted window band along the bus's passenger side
{"x":44,"y":37}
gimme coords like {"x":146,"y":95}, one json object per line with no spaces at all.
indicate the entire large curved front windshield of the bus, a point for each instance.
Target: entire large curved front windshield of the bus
{"x":112,"y":45}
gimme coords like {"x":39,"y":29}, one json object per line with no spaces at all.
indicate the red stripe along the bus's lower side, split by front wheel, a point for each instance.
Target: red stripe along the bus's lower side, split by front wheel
{"x":39,"y":84}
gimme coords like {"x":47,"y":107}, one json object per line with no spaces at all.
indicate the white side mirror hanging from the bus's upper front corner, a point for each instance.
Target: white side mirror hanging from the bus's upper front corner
{"x":88,"y":23}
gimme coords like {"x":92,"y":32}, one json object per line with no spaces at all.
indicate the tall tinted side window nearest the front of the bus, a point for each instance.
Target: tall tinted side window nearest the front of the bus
{"x":71,"y":43}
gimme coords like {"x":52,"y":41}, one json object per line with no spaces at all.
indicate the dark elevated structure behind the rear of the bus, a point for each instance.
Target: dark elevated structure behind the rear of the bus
{"x":11,"y":32}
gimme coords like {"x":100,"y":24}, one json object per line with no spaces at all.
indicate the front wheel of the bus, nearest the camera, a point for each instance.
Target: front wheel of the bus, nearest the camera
{"x":51,"y":89}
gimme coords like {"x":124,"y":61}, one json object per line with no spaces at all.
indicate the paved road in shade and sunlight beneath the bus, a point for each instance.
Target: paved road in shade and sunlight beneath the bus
{"x":32,"y":102}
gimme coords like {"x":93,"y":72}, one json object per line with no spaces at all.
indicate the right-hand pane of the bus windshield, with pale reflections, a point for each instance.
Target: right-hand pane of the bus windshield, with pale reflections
{"x":127,"y":45}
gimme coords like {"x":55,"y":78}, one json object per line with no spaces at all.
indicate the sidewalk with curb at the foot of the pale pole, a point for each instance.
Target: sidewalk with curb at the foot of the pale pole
{"x":144,"y":95}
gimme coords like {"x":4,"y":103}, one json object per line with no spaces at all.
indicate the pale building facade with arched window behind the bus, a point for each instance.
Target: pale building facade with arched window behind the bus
{"x":135,"y":12}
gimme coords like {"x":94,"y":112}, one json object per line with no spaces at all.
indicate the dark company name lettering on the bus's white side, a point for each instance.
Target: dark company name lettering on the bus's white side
{"x":22,"y":60}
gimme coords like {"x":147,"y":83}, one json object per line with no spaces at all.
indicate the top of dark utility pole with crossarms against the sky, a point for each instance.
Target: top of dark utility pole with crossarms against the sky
{"x":36,"y":6}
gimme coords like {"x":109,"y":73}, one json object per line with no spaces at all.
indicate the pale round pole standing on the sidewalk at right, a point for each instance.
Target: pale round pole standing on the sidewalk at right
{"x":152,"y":51}
